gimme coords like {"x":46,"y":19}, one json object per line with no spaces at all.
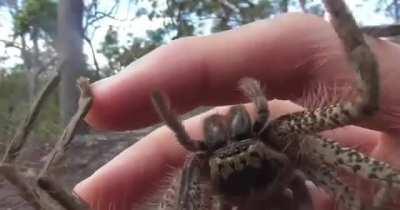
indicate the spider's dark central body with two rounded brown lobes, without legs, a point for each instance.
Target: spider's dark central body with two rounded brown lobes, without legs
{"x":239,"y":163}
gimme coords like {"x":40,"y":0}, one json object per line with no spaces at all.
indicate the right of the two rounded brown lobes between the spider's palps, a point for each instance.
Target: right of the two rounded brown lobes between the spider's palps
{"x":240,"y":123}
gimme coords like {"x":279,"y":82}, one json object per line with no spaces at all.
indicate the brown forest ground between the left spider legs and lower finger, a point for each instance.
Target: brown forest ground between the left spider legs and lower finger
{"x":86,"y":154}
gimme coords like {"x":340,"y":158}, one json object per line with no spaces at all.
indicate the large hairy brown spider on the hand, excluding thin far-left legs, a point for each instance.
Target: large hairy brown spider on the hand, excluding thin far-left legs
{"x":248,"y":165}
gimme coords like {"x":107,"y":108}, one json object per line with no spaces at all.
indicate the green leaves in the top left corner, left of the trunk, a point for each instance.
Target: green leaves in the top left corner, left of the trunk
{"x":36,"y":14}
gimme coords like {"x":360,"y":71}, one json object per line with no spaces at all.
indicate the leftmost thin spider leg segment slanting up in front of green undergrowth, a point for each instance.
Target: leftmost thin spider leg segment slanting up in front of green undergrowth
{"x":19,"y":140}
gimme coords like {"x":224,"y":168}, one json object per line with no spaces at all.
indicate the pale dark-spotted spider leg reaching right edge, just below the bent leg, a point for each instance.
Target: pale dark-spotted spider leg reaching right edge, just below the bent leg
{"x":331,"y":153}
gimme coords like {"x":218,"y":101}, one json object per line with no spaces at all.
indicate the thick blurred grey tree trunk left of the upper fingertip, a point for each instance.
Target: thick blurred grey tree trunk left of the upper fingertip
{"x":69,"y":47}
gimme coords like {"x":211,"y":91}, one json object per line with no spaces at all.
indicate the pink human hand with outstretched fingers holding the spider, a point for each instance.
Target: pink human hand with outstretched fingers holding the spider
{"x":287,"y":54}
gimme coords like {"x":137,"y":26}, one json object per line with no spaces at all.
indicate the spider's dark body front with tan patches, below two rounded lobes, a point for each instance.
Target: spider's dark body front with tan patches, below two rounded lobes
{"x":241,"y":168}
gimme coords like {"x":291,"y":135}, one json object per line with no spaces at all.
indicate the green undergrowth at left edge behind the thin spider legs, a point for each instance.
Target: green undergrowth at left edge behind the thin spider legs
{"x":14,"y":107}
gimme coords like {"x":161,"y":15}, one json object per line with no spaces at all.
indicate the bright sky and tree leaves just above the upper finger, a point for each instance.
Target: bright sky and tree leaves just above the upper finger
{"x":184,"y":18}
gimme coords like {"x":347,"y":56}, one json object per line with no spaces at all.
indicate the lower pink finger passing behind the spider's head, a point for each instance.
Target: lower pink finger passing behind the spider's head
{"x":132,"y":175}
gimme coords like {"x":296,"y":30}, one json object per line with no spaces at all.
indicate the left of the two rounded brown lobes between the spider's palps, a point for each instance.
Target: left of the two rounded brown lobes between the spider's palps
{"x":215,"y":131}
